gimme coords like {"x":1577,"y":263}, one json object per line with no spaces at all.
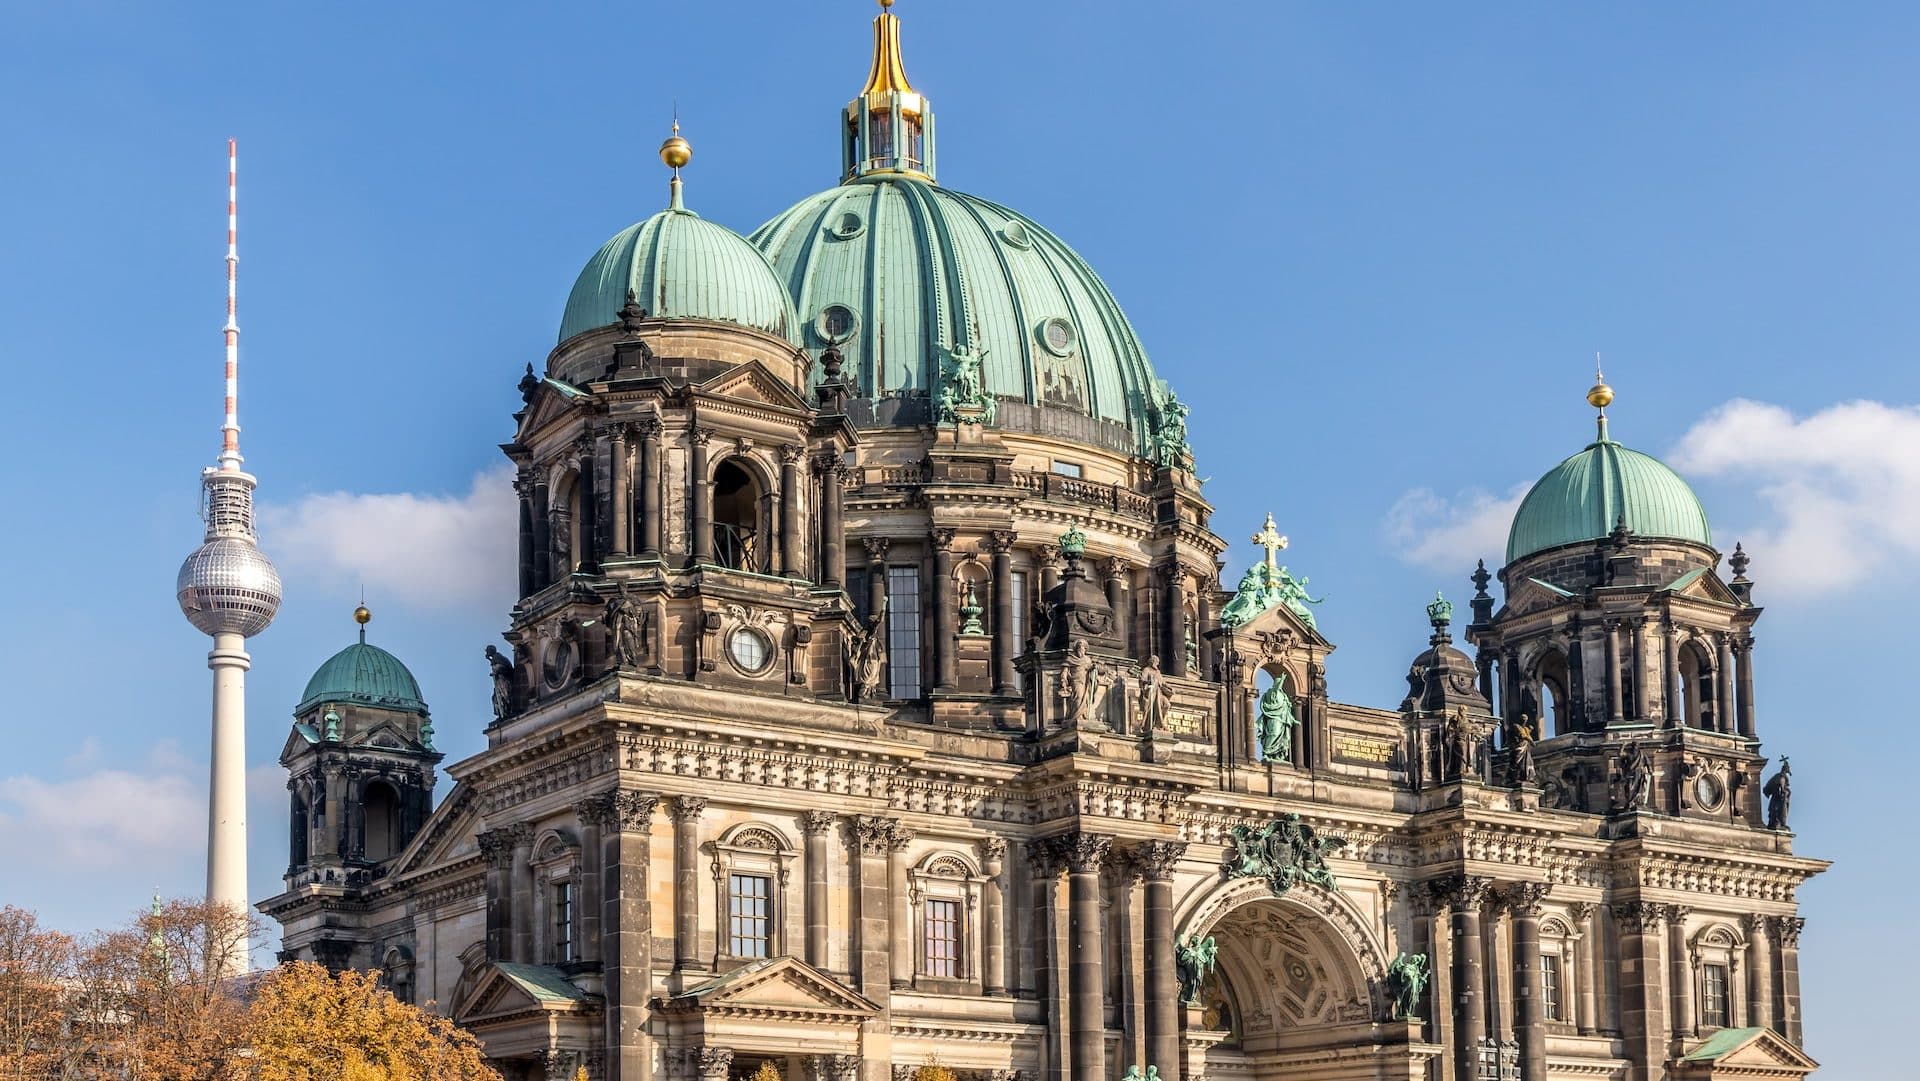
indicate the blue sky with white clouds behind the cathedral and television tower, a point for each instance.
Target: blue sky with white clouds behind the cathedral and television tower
{"x":1376,"y":249}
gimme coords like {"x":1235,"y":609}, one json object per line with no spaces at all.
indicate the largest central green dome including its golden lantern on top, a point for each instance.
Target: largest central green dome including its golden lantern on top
{"x":900,"y":274}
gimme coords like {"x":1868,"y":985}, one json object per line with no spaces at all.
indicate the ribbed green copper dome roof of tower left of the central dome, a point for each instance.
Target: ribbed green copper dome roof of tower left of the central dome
{"x":686,"y":268}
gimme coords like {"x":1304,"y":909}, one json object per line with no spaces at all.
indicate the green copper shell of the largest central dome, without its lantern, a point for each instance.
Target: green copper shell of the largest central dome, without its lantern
{"x":924,"y":270}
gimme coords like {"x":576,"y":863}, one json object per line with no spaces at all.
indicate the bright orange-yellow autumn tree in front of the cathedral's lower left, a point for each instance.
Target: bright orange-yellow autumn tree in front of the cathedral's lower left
{"x":308,"y":1024}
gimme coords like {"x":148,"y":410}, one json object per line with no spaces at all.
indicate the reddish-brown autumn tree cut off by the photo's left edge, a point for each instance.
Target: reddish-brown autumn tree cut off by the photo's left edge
{"x":36,"y":978}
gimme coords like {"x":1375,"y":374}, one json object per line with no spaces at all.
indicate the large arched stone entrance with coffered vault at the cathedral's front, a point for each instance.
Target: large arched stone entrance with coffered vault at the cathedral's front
{"x":1297,"y":992}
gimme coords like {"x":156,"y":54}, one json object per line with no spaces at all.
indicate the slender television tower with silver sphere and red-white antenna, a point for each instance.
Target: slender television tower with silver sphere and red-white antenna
{"x":231,"y":592}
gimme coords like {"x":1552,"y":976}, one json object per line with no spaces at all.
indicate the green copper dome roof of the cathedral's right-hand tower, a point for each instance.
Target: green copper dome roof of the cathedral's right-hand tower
{"x":1585,"y":496}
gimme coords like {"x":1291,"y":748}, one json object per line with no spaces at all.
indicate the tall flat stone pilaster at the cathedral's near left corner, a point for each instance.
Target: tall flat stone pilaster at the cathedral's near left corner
{"x":627,"y":930}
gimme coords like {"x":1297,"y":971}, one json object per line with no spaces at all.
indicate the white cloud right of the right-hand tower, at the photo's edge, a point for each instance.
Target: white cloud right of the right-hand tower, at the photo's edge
{"x":1842,"y":485}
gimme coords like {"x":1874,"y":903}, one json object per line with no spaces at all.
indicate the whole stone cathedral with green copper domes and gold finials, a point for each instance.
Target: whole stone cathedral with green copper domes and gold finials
{"x":875,"y":698}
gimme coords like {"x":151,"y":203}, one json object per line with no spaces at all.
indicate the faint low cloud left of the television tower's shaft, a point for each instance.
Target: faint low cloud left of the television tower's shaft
{"x":108,"y":819}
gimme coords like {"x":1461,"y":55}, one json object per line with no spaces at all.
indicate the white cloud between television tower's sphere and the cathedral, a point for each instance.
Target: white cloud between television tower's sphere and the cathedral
{"x":444,"y":552}
